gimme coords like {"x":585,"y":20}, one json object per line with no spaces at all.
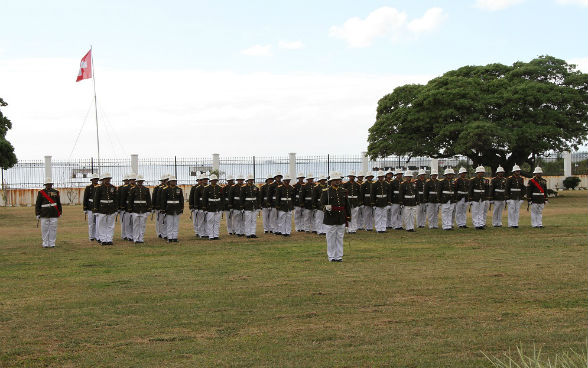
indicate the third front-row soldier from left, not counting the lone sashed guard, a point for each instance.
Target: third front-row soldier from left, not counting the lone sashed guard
{"x":172,"y":206}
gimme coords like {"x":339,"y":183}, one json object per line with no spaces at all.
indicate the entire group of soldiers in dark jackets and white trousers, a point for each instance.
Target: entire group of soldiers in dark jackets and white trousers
{"x":386,"y":200}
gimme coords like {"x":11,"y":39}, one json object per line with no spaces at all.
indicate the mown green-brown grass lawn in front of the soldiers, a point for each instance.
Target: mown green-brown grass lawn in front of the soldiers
{"x":424,"y":299}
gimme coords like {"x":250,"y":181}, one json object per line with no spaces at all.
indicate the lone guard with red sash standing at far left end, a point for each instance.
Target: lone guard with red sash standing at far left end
{"x":48,"y":209}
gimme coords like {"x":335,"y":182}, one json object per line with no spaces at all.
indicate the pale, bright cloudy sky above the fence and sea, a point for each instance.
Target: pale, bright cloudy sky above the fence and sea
{"x":198,"y":64}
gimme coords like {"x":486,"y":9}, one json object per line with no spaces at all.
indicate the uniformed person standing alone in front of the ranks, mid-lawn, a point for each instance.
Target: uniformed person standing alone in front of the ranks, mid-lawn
{"x":337,"y":210}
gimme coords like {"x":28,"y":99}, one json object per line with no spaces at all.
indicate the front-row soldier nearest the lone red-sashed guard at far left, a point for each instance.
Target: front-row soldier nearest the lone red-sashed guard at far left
{"x":106,"y":206}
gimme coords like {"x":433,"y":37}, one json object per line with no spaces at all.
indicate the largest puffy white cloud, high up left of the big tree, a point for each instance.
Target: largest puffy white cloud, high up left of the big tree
{"x":386,"y":22}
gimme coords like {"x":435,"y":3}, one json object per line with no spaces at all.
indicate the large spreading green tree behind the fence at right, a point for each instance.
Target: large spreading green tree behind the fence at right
{"x":493,"y":114}
